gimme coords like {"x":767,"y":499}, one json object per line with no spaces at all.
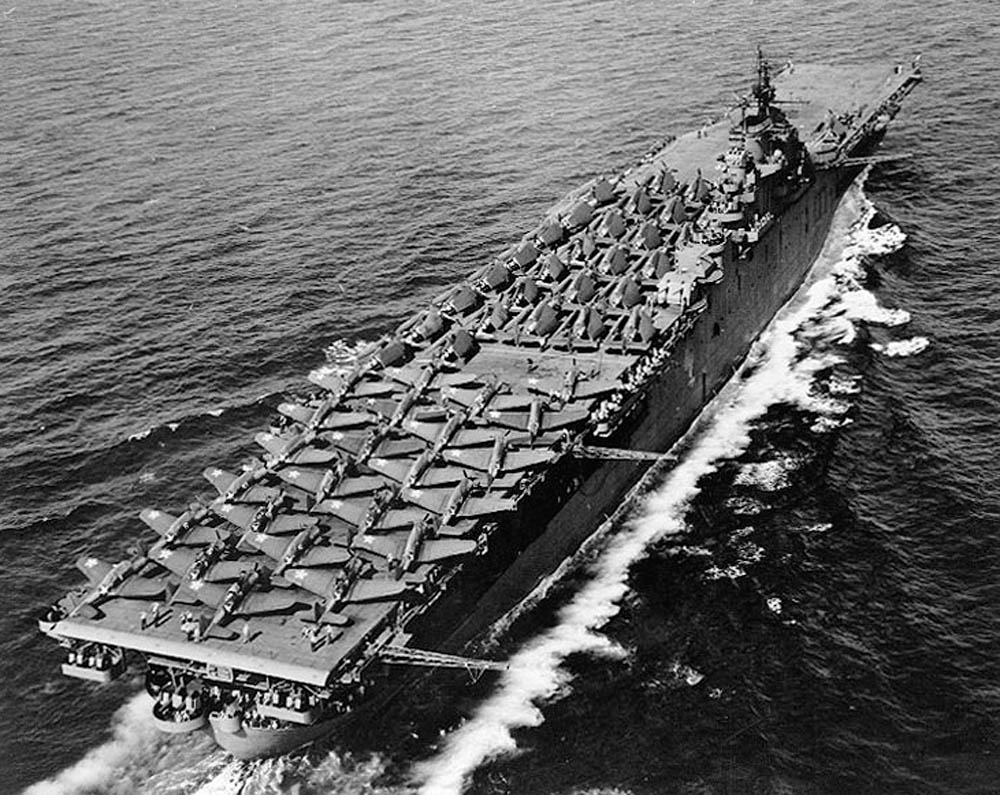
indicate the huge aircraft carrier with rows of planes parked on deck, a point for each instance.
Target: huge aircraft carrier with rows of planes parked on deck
{"x":427,"y":486}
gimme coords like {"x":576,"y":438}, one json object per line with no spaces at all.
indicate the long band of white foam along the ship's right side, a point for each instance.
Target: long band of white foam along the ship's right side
{"x":806,"y":337}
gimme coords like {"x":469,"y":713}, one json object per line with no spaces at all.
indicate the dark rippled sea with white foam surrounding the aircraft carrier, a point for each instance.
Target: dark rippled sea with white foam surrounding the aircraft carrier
{"x":199,"y":199}
